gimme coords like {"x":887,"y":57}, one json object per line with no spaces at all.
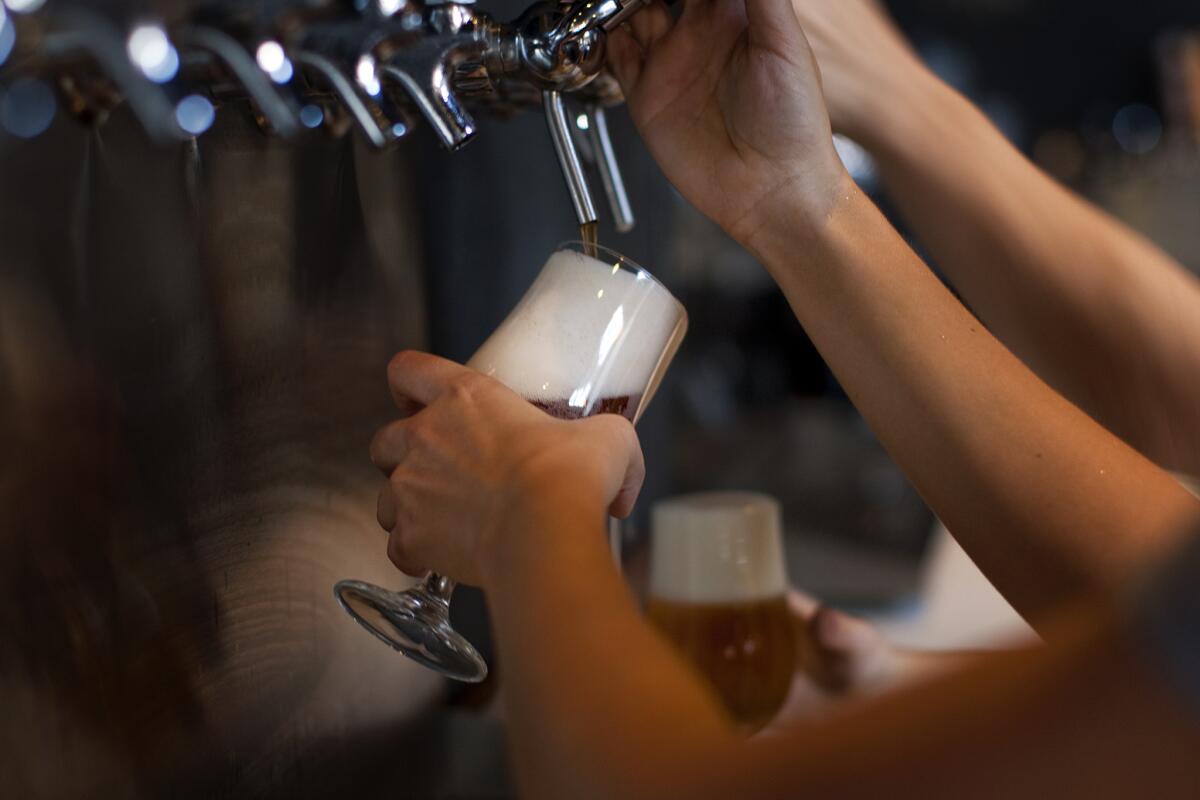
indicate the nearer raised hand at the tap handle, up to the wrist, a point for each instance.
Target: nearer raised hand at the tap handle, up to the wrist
{"x":729,"y":101}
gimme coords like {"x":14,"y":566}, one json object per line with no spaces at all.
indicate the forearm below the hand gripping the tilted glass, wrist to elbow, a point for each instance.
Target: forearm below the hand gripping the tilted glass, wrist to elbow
{"x":598,"y":707}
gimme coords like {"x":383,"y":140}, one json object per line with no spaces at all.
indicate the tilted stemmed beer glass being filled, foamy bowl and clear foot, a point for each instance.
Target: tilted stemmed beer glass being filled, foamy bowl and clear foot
{"x":593,"y":335}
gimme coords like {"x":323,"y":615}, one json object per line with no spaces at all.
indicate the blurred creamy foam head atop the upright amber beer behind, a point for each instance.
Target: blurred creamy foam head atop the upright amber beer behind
{"x":717,"y":548}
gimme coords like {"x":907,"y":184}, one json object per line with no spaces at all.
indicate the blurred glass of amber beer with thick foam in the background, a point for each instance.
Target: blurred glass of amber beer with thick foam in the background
{"x":718,"y":593}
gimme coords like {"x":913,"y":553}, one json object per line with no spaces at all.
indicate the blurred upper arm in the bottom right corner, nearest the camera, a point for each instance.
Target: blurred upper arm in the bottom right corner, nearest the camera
{"x":1009,"y":726}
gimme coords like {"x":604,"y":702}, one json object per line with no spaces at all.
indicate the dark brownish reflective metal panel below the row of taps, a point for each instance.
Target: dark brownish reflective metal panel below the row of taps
{"x":193,"y":351}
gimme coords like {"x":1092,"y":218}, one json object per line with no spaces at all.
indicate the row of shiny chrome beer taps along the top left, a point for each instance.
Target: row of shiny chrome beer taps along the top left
{"x":373,"y":65}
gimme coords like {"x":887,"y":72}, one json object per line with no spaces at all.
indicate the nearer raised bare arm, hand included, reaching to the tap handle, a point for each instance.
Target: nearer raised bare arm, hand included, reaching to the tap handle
{"x":1046,"y":501}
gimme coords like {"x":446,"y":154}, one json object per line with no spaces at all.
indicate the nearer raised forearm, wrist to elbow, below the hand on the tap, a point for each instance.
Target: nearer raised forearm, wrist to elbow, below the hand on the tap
{"x":1046,"y":501}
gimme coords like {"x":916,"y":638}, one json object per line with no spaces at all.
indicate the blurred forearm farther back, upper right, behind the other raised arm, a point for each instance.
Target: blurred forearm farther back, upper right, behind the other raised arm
{"x":1097,"y":311}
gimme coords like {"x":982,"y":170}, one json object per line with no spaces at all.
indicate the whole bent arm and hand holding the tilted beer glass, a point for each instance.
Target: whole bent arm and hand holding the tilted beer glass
{"x":488,"y":489}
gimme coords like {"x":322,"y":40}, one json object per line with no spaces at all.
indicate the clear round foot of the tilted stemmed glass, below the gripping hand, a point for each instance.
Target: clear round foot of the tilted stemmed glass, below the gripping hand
{"x":417,"y":624}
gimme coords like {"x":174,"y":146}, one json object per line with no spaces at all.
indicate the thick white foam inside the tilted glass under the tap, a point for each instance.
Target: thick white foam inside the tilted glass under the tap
{"x":585,"y":330}
